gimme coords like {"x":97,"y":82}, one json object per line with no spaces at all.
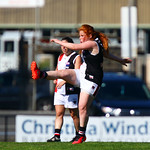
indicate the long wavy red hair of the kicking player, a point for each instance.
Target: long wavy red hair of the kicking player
{"x":89,"y":30}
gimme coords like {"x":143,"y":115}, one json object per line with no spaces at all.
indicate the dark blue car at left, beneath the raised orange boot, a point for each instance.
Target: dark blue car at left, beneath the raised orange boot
{"x":16,"y":92}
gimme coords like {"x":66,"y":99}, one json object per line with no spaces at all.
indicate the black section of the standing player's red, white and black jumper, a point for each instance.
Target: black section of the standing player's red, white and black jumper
{"x":70,"y":89}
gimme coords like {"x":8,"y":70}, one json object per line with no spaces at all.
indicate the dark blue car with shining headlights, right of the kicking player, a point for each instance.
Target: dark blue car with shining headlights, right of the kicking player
{"x":121,"y":95}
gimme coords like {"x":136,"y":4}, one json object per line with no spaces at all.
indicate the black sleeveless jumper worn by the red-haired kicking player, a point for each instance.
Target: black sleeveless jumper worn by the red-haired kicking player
{"x":94,"y":70}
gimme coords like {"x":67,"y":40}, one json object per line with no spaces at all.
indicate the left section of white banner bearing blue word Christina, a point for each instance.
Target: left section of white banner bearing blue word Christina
{"x":41,"y":128}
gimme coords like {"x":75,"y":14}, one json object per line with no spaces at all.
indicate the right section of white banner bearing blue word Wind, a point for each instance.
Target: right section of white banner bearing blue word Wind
{"x":126,"y":129}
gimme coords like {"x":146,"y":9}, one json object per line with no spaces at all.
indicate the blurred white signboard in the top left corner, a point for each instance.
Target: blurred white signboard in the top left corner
{"x":21,"y":3}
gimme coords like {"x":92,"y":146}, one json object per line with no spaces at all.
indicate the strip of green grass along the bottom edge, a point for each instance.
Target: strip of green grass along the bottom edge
{"x":69,"y":146}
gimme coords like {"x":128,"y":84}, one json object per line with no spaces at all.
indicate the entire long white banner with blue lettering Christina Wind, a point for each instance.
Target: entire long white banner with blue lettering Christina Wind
{"x":115,"y":129}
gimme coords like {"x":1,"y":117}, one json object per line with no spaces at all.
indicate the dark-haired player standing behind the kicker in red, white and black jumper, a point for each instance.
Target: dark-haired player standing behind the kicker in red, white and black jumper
{"x":66,"y":95}
